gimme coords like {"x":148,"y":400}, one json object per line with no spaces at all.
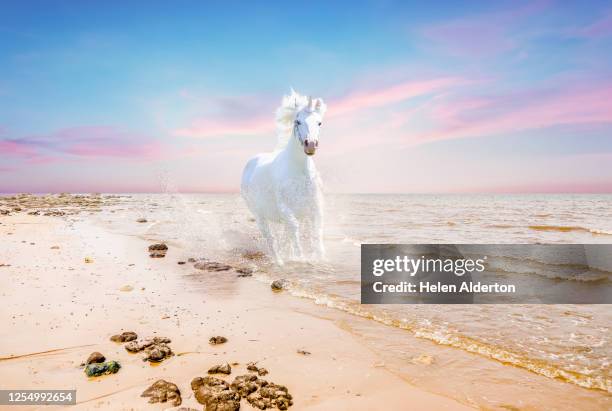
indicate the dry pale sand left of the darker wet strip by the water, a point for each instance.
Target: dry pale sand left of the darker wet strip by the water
{"x":57,"y":309}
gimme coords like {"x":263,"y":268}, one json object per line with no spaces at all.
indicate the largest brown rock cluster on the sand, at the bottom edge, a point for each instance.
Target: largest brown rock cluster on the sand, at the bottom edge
{"x":219,"y":395}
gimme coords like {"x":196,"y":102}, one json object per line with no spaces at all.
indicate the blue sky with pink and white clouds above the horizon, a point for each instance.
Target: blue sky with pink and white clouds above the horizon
{"x":491,"y":98}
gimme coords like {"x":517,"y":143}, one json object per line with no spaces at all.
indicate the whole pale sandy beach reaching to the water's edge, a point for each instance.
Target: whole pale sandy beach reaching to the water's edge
{"x":71,"y":280}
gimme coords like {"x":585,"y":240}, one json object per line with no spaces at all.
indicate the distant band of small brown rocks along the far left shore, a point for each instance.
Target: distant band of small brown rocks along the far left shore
{"x":53,"y":205}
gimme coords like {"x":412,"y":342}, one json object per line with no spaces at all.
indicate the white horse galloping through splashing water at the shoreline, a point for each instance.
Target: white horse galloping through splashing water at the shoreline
{"x":283,"y":189}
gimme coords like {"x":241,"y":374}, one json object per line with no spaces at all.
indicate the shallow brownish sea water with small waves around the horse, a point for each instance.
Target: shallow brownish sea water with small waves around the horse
{"x":568,"y":342}
